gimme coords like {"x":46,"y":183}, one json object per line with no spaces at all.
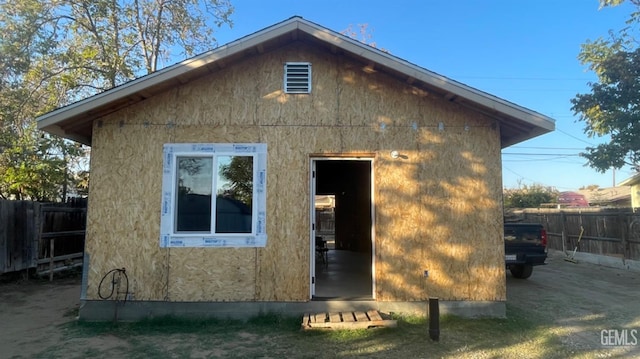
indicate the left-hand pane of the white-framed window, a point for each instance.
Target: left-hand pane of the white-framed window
{"x":194,"y":185}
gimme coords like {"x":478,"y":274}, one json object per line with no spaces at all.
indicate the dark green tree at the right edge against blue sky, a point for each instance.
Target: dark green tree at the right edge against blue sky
{"x":611,"y":108}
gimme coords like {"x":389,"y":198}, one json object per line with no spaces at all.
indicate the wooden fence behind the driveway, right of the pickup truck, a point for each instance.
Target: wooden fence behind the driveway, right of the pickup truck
{"x":605,"y":231}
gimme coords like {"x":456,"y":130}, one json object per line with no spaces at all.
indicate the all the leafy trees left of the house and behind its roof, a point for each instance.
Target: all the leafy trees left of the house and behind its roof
{"x":59,"y":51}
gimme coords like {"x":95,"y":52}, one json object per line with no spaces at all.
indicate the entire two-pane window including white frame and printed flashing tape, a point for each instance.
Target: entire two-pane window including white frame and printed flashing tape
{"x":214,"y":195}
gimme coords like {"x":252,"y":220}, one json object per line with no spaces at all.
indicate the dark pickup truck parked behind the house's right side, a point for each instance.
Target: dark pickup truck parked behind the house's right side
{"x":525,"y":246}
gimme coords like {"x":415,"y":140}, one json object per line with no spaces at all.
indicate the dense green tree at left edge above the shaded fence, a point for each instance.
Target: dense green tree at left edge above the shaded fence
{"x":32,"y":165}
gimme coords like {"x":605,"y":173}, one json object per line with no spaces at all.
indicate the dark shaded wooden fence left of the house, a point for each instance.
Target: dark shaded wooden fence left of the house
{"x":44,"y":236}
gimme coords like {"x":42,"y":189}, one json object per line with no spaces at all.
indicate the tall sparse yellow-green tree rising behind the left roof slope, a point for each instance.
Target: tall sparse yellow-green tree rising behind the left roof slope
{"x":99,"y":44}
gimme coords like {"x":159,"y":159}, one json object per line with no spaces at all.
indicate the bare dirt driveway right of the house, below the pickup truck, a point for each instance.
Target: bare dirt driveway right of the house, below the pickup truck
{"x":583,"y":300}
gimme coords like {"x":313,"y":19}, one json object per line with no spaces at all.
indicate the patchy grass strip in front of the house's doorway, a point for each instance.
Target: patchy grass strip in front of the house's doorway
{"x":273,"y":336}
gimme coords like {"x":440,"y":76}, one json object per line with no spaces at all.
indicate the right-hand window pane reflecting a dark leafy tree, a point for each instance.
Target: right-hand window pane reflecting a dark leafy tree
{"x":234,"y":188}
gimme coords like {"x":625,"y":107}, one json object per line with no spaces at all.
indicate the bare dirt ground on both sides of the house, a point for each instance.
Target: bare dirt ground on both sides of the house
{"x":582,"y":300}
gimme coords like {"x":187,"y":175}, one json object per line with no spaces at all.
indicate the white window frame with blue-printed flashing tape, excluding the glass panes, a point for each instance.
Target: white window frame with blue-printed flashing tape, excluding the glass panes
{"x":169,"y":237}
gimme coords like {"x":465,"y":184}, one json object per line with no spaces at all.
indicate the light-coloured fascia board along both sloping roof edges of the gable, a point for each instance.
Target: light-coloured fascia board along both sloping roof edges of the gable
{"x":323,"y":34}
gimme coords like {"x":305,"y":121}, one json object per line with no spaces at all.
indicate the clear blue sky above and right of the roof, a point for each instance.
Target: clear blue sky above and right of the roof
{"x":522,"y":51}
